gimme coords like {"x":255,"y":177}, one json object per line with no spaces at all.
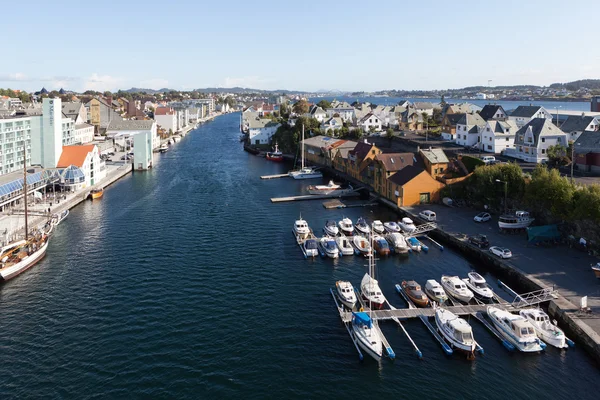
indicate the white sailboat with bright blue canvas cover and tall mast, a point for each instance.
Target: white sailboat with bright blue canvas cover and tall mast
{"x":364,"y":327}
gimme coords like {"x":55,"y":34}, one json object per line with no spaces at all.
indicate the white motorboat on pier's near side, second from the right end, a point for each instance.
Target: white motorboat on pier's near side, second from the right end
{"x":516,"y":329}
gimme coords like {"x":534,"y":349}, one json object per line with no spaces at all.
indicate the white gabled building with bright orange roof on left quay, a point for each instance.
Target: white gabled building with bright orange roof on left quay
{"x":80,"y":166}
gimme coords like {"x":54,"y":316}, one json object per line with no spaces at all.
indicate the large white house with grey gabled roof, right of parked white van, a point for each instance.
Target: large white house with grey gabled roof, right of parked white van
{"x":533,"y":139}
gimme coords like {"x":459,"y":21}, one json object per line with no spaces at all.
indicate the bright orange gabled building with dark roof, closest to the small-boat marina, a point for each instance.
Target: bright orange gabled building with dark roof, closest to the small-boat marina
{"x":411,"y":186}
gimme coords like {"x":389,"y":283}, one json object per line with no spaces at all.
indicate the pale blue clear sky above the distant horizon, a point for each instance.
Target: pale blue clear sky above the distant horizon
{"x":297,"y":45}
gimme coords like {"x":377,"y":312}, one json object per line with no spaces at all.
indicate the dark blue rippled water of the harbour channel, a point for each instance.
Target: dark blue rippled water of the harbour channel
{"x":186,"y":282}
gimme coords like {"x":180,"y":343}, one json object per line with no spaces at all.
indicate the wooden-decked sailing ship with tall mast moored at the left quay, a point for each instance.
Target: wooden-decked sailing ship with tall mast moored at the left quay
{"x":21,"y":255}
